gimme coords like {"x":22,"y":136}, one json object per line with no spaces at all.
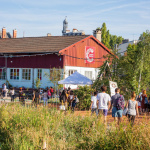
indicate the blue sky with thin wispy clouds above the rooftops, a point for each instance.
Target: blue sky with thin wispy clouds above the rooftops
{"x":126,"y":18}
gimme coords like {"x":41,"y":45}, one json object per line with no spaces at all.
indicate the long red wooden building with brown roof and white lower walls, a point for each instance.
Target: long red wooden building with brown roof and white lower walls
{"x":22,"y":60}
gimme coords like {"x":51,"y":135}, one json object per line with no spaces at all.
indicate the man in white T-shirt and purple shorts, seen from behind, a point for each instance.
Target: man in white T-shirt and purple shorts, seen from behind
{"x":103,"y":102}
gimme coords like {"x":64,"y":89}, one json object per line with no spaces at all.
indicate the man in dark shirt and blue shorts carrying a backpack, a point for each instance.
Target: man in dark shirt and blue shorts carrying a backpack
{"x":117,"y":113}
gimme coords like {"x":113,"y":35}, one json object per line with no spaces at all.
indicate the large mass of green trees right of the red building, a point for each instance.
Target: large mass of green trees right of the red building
{"x":131,"y":72}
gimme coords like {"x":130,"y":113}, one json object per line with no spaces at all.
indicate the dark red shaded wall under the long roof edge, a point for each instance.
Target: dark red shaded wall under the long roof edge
{"x":45,"y":61}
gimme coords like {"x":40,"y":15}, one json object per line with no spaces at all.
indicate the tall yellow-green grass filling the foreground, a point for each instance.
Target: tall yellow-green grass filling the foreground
{"x":24,"y":128}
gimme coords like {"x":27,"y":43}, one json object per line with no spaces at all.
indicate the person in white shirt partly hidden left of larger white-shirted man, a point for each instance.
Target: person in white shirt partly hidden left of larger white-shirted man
{"x":94,"y":103}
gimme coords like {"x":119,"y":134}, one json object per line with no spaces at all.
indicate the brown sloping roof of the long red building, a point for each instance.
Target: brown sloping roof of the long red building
{"x":38,"y":44}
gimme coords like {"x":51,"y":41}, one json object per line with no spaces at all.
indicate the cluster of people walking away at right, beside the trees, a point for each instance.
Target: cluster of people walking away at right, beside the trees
{"x":101,"y":103}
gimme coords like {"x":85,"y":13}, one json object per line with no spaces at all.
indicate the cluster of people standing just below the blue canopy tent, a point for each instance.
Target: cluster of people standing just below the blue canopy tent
{"x":68,"y":99}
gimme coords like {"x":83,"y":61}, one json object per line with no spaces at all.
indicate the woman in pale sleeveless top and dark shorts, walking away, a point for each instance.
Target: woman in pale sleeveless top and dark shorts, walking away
{"x":132,"y":106}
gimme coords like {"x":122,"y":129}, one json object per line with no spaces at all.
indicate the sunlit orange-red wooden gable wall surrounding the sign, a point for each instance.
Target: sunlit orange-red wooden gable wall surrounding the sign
{"x":78,"y":50}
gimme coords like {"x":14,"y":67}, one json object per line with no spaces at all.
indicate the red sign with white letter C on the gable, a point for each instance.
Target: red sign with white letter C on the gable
{"x":89,"y":54}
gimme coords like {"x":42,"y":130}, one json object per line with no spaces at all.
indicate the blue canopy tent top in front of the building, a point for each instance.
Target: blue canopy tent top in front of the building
{"x":76,"y":79}
